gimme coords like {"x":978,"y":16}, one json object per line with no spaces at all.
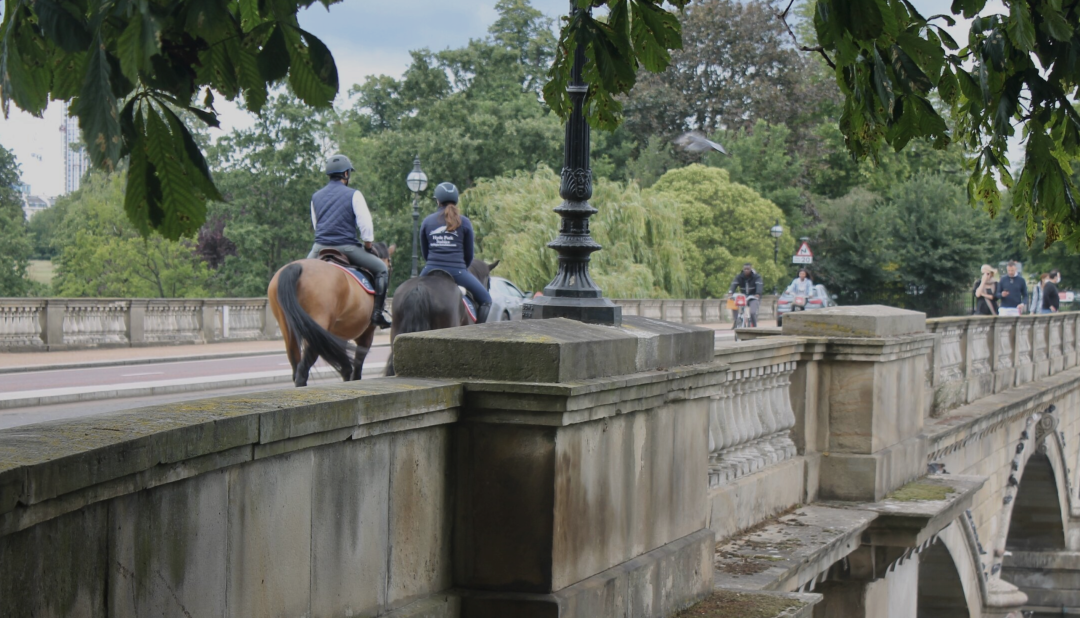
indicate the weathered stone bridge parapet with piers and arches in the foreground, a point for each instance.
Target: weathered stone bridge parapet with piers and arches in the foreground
{"x":862,"y":463}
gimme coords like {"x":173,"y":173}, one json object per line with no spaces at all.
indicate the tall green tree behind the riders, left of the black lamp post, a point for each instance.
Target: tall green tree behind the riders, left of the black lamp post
{"x":470,"y":113}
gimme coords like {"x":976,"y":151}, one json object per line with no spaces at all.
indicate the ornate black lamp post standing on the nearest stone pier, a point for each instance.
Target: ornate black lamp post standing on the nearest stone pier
{"x":573,"y":293}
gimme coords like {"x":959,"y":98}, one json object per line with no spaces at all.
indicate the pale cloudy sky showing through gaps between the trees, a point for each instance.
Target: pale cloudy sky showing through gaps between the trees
{"x":368,"y":37}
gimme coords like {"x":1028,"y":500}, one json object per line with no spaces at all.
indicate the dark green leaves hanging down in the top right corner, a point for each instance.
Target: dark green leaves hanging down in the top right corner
{"x":1018,"y":70}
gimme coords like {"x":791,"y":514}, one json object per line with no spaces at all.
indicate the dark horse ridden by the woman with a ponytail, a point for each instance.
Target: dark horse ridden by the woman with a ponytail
{"x":433,"y":302}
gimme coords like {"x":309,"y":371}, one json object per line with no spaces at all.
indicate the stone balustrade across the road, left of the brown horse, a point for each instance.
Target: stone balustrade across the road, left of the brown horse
{"x":67,"y":324}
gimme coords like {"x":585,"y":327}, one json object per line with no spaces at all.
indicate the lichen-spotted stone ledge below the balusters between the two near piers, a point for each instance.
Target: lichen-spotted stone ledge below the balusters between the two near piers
{"x":791,"y":552}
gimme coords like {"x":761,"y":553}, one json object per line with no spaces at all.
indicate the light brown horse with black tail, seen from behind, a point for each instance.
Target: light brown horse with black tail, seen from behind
{"x":320,"y":308}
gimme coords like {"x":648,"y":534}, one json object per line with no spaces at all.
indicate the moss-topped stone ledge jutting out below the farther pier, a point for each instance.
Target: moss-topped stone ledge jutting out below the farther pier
{"x":915,"y":514}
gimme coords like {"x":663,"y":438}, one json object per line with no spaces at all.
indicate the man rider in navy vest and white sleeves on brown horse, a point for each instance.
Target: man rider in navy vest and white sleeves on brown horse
{"x":337,"y":212}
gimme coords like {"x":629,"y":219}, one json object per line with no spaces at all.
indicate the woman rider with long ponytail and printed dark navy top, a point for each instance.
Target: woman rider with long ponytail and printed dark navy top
{"x":447,"y":240}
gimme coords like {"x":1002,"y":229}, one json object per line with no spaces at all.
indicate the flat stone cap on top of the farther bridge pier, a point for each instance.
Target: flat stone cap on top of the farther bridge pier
{"x":876,"y":321}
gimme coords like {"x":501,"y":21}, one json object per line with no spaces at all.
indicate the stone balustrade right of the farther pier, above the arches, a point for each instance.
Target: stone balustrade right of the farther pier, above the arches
{"x":977,"y":357}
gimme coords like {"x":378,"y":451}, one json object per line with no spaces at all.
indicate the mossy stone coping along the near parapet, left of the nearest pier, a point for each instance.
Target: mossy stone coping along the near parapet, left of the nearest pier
{"x":43,"y":462}
